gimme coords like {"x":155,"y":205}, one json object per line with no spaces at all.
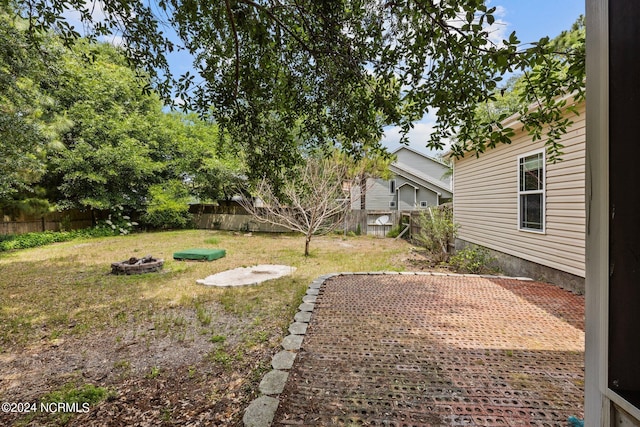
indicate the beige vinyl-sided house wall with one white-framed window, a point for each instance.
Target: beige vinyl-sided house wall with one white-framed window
{"x":513,"y":201}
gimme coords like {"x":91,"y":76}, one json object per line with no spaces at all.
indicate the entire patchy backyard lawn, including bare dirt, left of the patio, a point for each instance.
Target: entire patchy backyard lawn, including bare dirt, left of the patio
{"x":154,"y":349}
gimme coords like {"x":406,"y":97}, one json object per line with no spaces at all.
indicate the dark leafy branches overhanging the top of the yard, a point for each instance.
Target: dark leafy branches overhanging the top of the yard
{"x":341,"y":70}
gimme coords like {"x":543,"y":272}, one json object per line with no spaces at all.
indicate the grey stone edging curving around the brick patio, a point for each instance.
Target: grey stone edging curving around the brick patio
{"x":262,"y":410}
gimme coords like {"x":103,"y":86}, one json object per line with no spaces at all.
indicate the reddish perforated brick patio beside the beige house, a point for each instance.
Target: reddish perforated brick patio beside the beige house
{"x":424,"y":350}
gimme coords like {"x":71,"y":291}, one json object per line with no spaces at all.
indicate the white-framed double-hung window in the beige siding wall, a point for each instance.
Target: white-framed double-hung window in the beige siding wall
{"x":531,"y":197}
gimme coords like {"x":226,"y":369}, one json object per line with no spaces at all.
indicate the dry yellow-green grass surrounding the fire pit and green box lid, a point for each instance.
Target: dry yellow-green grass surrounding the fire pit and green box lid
{"x":66,"y":288}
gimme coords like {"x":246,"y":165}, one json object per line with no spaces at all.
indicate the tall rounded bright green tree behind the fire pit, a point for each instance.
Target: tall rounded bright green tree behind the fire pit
{"x":106,"y":161}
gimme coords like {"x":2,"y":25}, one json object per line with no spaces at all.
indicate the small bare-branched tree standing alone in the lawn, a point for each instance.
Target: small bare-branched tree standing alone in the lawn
{"x":313,"y":202}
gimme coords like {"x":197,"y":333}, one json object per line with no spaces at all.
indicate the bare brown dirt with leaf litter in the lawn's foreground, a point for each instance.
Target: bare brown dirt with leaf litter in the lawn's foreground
{"x":166,"y":372}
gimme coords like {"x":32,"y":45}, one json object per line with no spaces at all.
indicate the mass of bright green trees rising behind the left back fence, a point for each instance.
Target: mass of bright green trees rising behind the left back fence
{"x":79,"y":130}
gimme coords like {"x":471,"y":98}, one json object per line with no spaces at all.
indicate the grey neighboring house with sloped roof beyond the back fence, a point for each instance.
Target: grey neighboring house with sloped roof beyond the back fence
{"x":418,"y":182}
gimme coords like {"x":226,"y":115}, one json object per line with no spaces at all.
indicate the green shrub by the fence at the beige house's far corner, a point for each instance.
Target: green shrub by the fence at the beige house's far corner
{"x":437,"y":231}
